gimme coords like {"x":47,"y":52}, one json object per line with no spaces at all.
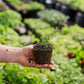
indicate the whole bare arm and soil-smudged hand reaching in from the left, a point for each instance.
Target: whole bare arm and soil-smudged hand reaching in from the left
{"x":21,"y":56}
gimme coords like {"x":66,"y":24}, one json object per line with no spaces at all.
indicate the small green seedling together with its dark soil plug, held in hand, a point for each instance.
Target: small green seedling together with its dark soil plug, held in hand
{"x":43,"y":50}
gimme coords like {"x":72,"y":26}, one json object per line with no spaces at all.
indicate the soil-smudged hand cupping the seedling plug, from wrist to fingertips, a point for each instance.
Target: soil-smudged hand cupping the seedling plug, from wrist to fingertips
{"x":27,"y":59}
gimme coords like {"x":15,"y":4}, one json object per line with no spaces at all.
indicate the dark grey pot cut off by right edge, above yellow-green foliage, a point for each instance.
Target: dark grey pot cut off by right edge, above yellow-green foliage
{"x":80,"y":19}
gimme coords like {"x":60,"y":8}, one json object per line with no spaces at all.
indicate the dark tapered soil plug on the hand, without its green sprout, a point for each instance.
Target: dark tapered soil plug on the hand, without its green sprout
{"x":43,"y":53}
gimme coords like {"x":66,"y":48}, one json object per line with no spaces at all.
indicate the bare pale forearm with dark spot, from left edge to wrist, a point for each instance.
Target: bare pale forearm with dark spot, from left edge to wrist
{"x":9,"y":54}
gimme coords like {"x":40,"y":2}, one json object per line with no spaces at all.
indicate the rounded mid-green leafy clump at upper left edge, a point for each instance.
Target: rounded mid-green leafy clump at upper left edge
{"x":10,"y":18}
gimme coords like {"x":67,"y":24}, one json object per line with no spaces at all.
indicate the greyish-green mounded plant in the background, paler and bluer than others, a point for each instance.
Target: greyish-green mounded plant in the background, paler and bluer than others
{"x":55,"y":18}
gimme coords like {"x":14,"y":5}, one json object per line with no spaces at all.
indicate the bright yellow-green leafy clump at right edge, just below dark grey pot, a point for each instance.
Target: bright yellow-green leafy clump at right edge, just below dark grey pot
{"x":76,"y":32}
